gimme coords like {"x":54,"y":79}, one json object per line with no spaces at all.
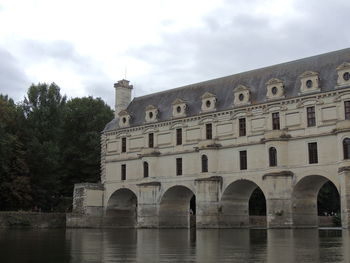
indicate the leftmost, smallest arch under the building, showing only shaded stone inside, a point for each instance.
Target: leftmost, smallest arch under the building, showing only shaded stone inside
{"x":121,"y":210}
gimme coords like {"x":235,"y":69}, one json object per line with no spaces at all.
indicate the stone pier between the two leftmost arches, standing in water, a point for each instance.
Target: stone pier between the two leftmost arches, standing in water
{"x":147,"y":207}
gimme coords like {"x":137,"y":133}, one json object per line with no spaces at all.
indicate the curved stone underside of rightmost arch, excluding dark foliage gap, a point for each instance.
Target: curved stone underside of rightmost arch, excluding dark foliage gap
{"x":304,"y":200}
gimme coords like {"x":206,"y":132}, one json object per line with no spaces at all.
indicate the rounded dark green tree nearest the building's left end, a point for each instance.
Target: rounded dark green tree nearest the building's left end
{"x":84,"y":119}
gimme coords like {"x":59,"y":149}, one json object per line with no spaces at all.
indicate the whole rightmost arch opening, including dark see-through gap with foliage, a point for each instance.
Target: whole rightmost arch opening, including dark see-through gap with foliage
{"x":315,"y":202}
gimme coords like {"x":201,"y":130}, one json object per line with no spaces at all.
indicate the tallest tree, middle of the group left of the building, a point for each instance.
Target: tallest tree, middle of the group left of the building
{"x":43,"y":108}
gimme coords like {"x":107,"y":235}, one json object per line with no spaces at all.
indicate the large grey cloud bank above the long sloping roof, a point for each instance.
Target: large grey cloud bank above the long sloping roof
{"x":234,"y":41}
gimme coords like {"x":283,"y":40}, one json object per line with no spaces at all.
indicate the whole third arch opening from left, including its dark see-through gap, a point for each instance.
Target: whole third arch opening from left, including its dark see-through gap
{"x":243,"y":204}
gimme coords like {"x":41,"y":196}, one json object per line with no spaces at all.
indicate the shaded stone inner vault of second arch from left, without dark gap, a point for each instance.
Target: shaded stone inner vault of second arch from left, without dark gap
{"x":174,"y":207}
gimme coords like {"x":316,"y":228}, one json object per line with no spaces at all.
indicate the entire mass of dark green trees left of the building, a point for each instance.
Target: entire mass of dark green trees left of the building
{"x":46,"y":145}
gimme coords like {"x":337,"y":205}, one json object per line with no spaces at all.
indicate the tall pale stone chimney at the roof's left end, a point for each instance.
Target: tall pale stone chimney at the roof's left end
{"x":122,"y":95}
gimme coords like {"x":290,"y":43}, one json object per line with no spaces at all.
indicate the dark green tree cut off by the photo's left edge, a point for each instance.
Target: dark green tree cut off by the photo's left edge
{"x":15,"y":190}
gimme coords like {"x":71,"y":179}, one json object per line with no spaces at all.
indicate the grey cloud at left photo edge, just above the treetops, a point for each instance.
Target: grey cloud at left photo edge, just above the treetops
{"x":13,"y":80}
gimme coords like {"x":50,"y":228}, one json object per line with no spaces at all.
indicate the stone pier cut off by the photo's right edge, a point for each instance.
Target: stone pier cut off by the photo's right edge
{"x":344,"y":178}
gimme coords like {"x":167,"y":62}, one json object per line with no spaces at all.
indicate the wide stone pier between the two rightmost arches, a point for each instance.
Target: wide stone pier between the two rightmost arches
{"x":279,"y":199}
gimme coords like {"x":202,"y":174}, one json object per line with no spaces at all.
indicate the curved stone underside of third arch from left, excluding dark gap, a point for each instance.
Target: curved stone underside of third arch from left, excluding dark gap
{"x":234,"y":203}
